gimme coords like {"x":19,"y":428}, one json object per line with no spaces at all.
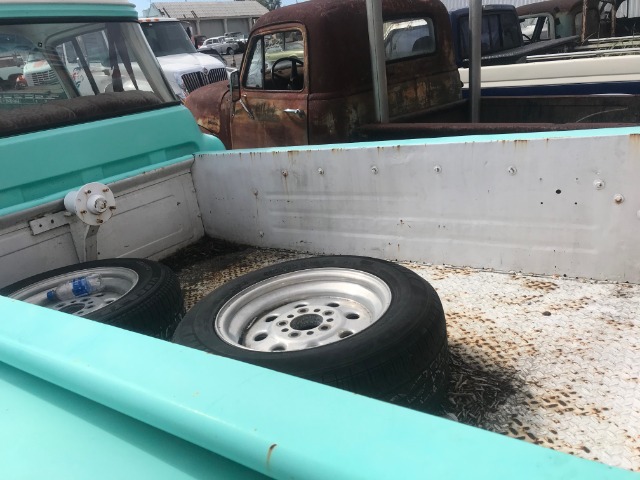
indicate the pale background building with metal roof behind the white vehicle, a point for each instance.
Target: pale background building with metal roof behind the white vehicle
{"x":211,"y":19}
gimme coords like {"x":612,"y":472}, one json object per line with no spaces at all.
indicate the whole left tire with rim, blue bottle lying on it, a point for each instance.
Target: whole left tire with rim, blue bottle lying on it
{"x":139,"y":295}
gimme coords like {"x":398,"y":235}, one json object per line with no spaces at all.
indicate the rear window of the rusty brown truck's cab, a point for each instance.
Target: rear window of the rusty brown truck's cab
{"x":408,"y":38}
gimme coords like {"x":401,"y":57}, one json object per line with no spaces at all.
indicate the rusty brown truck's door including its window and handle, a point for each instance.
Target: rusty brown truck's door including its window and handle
{"x":272,"y":110}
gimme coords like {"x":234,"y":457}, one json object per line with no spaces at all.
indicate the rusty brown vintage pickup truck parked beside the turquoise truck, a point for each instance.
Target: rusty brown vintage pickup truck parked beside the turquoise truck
{"x":307,"y":79}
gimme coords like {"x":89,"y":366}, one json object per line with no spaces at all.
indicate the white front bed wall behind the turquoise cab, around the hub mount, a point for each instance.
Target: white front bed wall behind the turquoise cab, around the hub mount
{"x":156,"y":214}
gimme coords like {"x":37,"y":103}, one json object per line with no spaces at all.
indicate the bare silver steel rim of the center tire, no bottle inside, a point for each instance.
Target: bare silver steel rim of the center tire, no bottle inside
{"x":303,"y":309}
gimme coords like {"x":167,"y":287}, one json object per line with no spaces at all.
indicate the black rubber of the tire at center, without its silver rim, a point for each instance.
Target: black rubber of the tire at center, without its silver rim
{"x":402,"y":358}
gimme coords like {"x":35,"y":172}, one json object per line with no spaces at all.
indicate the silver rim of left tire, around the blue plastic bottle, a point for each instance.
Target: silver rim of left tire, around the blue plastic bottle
{"x":117,"y":281}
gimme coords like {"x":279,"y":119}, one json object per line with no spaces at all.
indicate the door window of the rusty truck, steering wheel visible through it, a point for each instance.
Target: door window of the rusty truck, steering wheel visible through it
{"x":277,"y":62}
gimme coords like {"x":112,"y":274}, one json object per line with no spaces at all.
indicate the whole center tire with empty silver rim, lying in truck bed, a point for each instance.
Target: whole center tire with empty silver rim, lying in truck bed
{"x":395,"y":349}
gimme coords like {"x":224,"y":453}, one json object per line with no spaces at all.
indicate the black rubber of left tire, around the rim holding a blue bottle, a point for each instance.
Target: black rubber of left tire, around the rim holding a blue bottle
{"x":153,"y":307}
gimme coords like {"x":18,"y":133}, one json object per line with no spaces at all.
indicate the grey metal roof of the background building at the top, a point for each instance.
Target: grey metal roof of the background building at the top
{"x":247,"y":8}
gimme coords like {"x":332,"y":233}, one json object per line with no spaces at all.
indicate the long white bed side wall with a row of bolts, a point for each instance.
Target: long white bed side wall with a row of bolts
{"x":567,"y":206}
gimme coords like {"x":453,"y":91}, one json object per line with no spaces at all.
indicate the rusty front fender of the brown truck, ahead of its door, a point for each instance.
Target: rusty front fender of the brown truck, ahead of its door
{"x":210,"y":106}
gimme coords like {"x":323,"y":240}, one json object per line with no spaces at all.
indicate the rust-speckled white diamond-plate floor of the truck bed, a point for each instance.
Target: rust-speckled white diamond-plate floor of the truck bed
{"x":552,"y":361}
